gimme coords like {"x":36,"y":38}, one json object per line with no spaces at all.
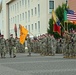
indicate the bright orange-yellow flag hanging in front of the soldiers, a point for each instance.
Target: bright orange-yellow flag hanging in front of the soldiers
{"x":23,"y":34}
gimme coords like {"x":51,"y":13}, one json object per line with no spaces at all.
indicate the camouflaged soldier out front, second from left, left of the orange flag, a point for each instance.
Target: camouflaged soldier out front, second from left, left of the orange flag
{"x":12,"y":46}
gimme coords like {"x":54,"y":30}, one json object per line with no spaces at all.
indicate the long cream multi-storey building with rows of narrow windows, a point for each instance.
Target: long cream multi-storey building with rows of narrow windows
{"x":32,"y":14}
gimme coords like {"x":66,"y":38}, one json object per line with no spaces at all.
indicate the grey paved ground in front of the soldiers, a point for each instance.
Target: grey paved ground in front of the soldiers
{"x":37,"y":65}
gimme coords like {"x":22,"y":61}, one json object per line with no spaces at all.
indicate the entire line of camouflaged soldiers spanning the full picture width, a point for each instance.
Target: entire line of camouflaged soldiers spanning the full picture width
{"x":44,"y":44}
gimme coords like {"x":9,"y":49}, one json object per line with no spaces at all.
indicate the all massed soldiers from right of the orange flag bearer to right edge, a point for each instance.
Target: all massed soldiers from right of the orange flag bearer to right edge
{"x":46,"y":44}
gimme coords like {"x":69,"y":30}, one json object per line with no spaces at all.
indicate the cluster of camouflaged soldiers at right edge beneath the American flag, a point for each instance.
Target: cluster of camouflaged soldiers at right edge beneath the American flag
{"x":70,"y":45}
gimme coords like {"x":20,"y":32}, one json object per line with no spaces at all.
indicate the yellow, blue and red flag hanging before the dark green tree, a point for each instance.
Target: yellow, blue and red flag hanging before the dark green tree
{"x":56,"y":26}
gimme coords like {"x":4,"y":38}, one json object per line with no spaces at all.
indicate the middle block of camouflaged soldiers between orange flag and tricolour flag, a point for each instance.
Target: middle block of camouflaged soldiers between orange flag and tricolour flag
{"x":44,"y":44}
